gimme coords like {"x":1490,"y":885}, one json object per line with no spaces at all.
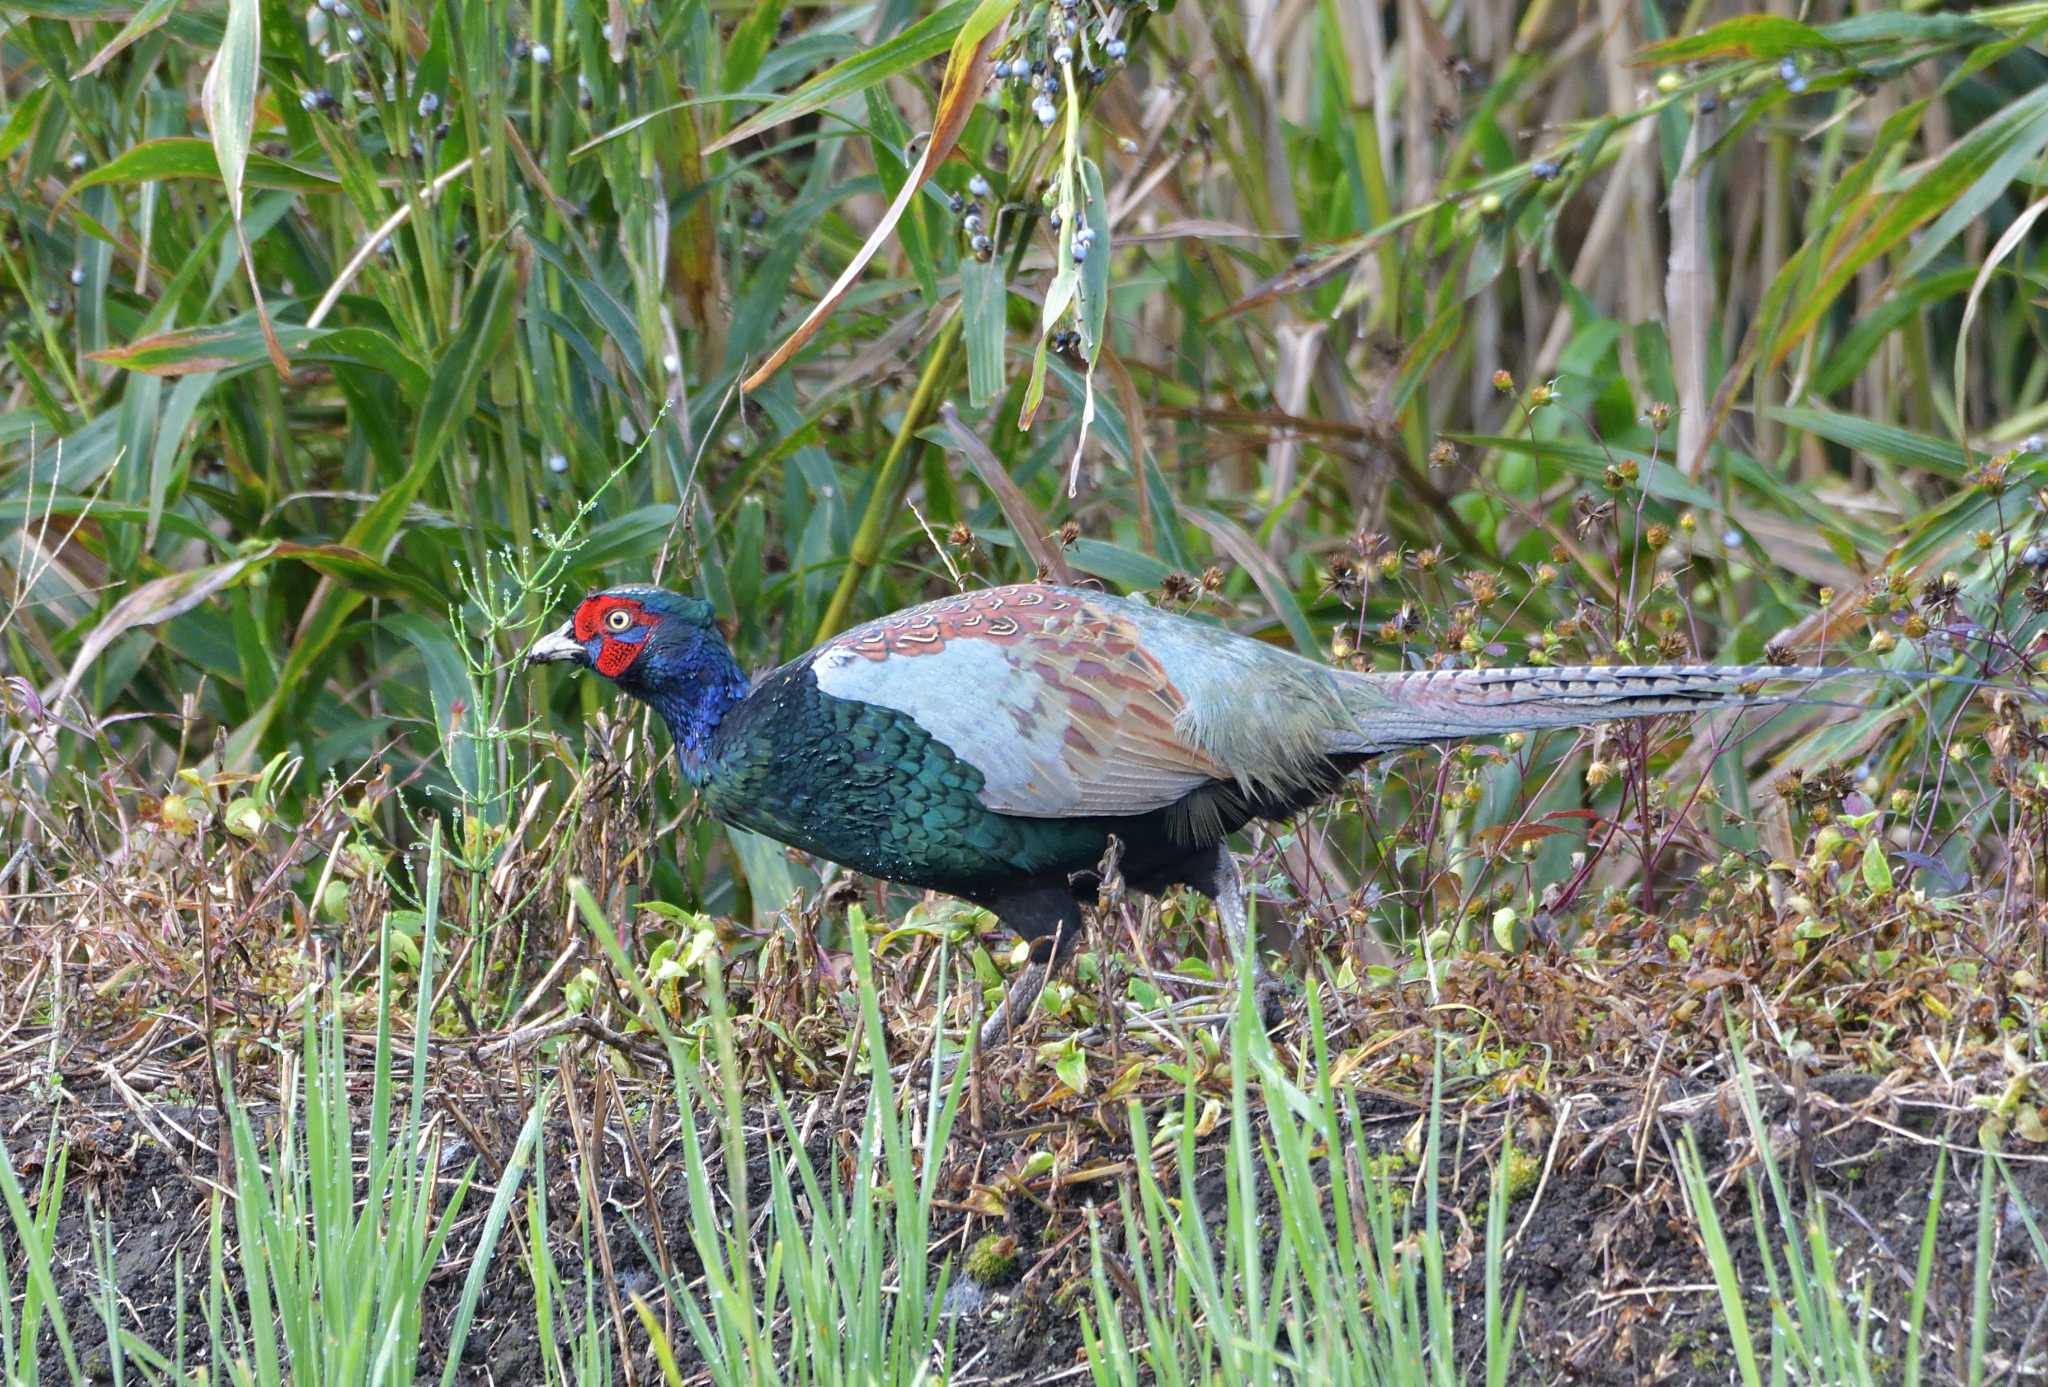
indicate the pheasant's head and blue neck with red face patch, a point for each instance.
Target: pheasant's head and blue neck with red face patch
{"x":658,"y":646}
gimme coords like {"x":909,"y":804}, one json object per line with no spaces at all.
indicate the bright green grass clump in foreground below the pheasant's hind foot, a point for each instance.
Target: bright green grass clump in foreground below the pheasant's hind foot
{"x":1320,"y":1267}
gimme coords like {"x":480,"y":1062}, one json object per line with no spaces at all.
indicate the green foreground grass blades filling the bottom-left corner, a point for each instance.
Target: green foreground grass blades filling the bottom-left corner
{"x":318,"y":1263}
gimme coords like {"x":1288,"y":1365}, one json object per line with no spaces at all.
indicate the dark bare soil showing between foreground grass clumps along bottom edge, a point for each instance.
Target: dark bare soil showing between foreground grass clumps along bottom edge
{"x":1617,"y":1284}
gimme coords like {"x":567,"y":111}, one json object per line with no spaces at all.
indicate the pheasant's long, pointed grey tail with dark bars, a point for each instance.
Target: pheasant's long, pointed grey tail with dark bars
{"x":1443,"y":706}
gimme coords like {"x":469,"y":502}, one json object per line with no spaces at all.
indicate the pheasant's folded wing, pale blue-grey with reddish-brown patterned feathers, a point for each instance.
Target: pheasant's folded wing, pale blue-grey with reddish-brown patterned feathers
{"x":1054,"y":696}
